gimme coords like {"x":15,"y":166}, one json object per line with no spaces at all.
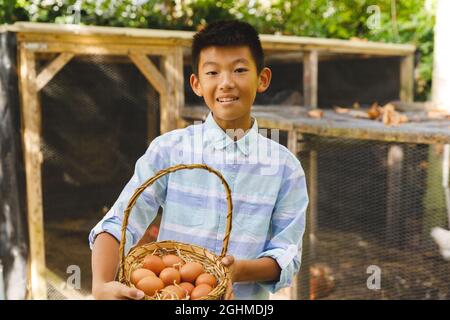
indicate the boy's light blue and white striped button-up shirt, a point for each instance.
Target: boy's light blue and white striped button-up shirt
{"x":268,"y":190}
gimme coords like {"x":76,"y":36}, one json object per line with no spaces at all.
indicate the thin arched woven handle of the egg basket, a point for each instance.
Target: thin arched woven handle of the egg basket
{"x":148,"y":183}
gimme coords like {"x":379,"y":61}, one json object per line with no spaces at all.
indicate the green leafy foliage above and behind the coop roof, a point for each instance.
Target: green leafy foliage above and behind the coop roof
{"x":412,"y":21}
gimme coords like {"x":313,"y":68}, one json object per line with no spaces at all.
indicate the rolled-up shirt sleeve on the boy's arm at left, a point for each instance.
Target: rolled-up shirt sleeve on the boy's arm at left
{"x":147,"y":204}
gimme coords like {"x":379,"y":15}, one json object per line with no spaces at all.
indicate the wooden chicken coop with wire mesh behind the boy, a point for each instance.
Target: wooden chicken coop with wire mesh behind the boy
{"x":80,"y":104}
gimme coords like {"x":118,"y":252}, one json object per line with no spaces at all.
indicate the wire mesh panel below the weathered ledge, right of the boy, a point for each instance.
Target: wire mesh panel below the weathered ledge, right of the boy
{"x":376,"y":205}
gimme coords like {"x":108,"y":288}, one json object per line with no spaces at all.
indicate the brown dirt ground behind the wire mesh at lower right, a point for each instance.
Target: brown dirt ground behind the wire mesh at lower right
{"x":405,"y":273}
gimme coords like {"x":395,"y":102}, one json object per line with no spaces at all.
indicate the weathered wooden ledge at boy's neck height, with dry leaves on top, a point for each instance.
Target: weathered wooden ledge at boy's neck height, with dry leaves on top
{"x":334,"y":125}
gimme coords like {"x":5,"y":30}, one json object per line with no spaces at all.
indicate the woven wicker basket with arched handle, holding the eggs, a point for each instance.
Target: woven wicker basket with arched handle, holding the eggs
{"x":189,"y":253}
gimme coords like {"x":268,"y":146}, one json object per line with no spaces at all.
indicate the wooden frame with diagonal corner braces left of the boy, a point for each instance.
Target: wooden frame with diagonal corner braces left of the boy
{"x":168,"y":83}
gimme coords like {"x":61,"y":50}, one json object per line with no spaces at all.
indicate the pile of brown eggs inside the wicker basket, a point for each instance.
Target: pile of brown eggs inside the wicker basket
{"x":171,"y":277}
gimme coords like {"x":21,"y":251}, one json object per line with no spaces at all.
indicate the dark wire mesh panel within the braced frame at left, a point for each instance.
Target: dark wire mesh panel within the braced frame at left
{"x":98,"y":115}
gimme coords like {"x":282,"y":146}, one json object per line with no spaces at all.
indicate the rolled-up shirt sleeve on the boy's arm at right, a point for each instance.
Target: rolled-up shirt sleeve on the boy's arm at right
{"x":288,"y":227}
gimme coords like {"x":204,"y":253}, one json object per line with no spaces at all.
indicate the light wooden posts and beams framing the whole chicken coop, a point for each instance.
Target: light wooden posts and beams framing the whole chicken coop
{"x":69,"y":41}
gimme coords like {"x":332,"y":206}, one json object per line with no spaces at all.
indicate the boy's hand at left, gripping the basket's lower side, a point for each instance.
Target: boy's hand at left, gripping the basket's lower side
{"x":115,"y":290}
